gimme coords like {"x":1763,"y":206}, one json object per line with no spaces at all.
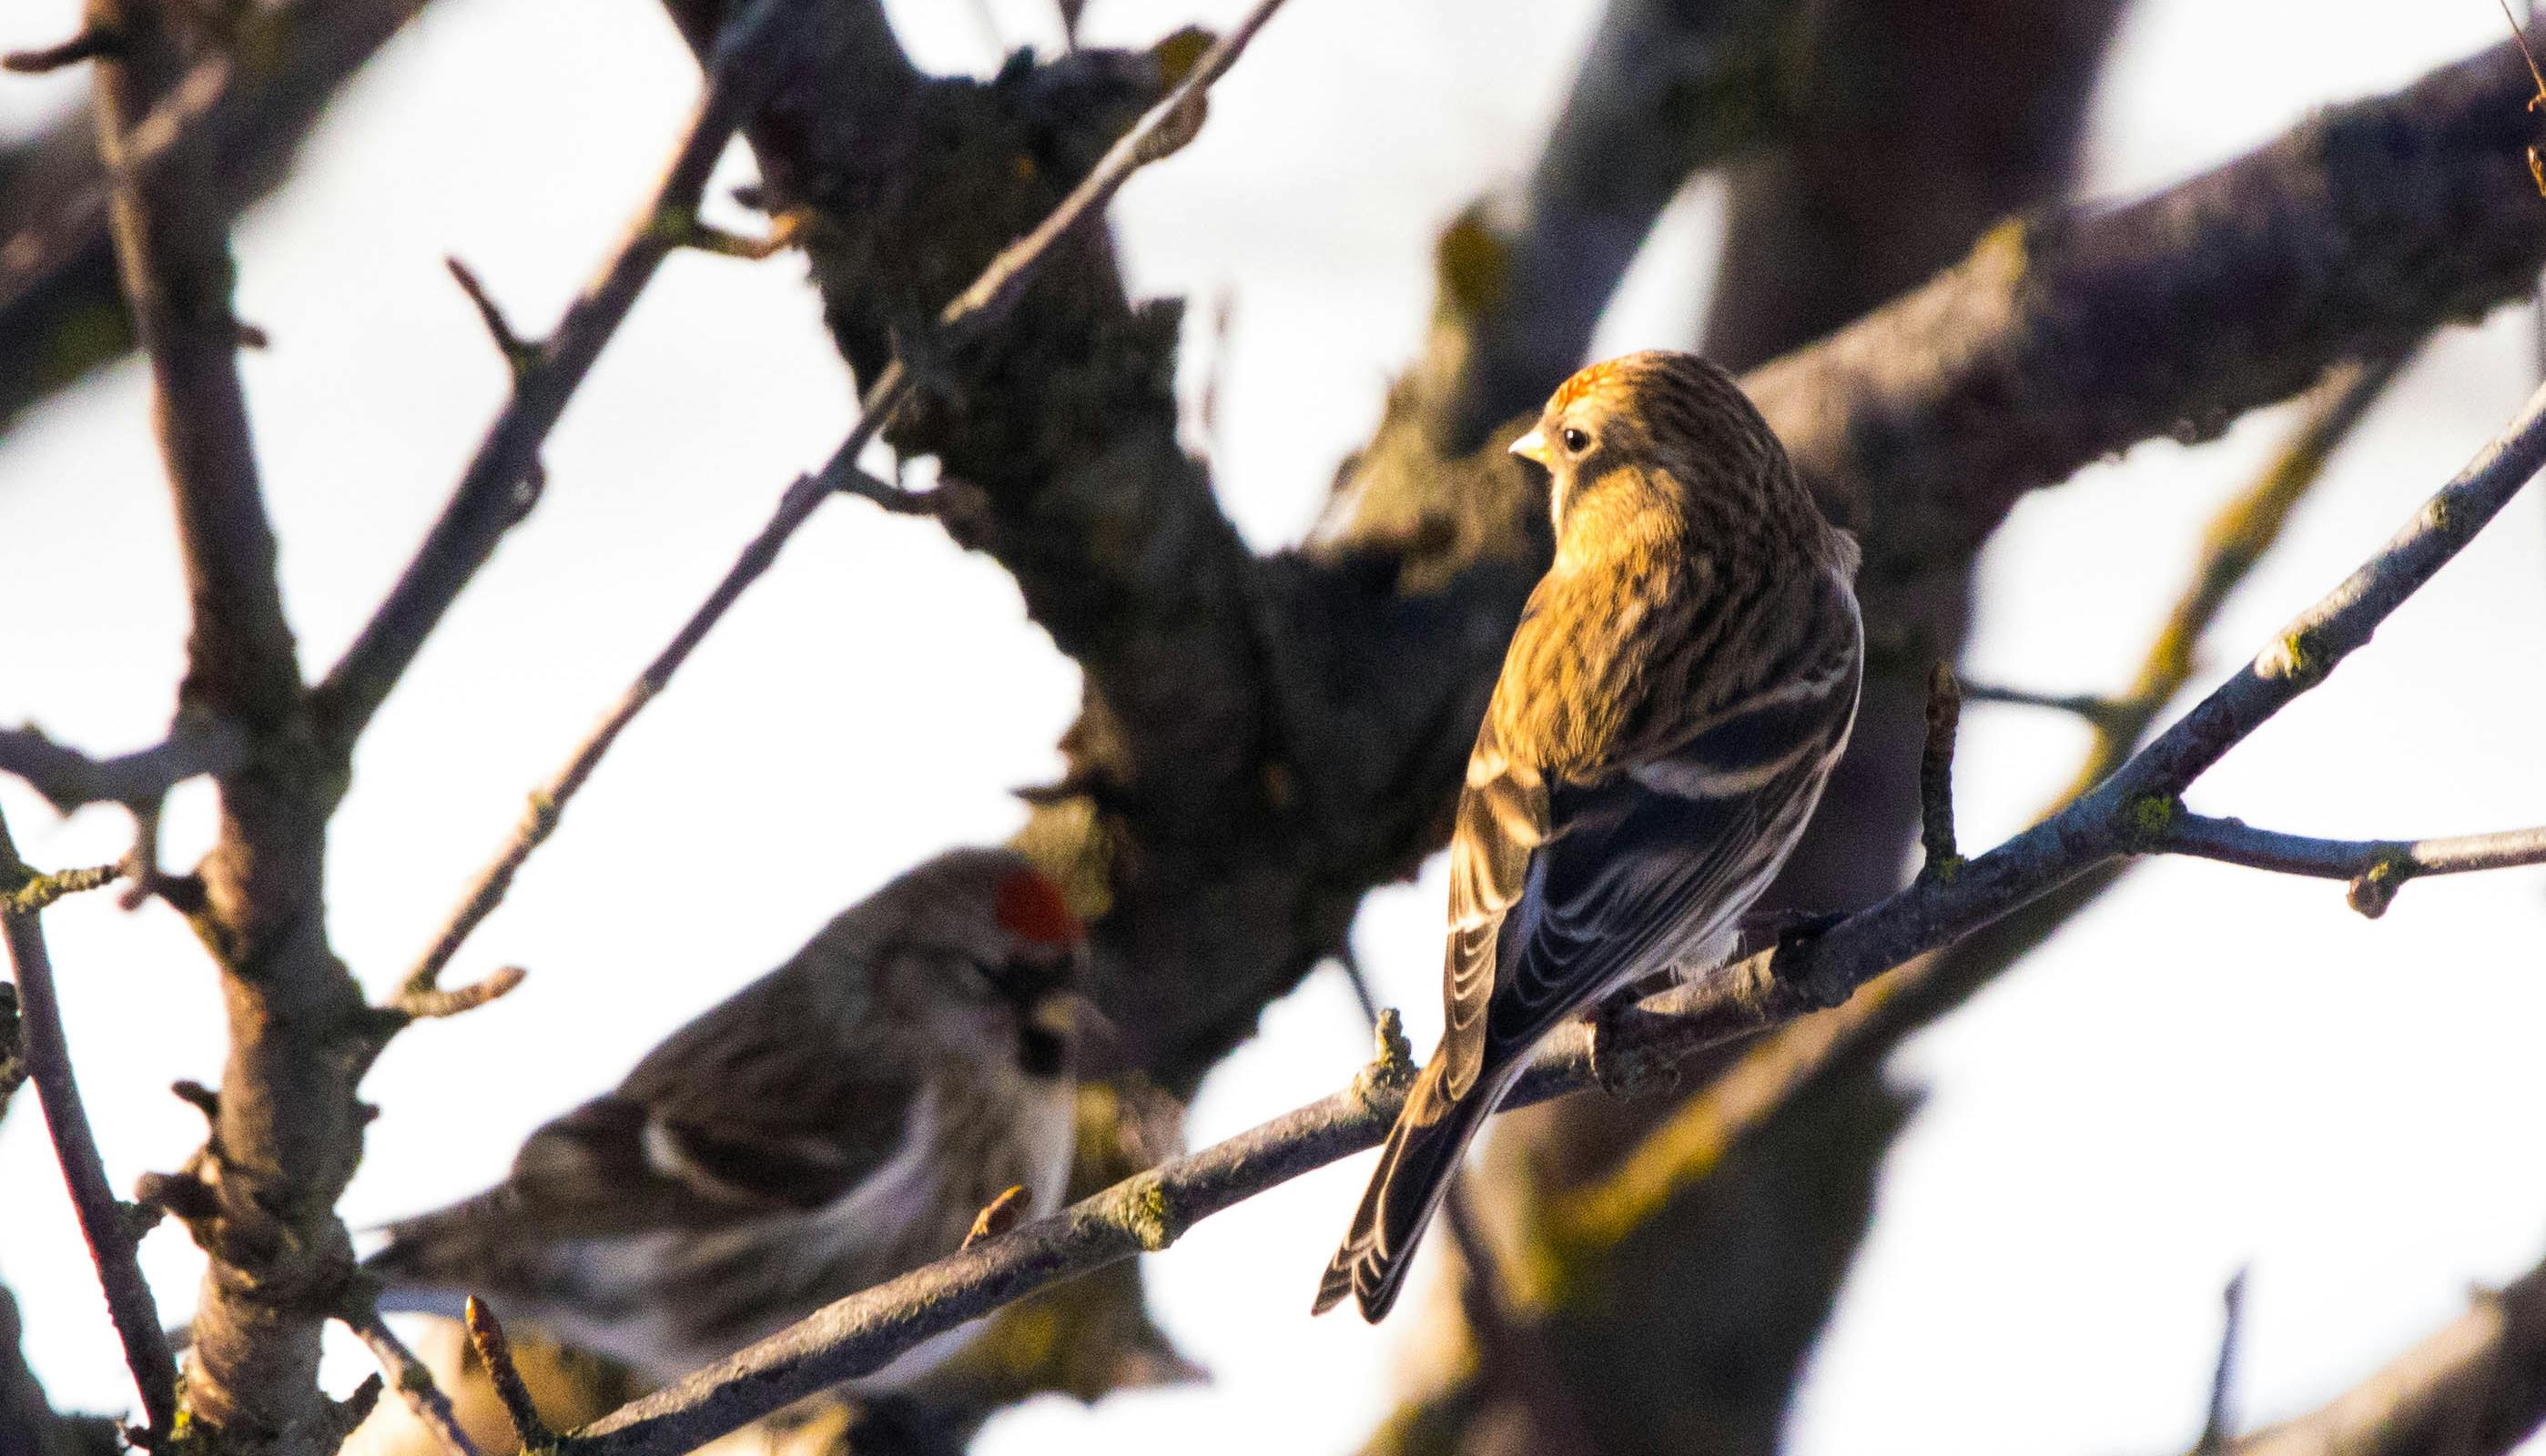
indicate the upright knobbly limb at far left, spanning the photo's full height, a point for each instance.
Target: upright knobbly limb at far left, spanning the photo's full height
{"x":261,"y":1193}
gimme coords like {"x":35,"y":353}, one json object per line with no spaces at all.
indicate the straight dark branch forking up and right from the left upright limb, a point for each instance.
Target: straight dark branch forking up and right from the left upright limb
{"x":485,"y":503}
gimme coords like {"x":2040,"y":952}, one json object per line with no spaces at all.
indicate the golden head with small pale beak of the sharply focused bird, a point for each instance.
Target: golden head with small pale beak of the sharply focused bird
{"x":1661,"y":442}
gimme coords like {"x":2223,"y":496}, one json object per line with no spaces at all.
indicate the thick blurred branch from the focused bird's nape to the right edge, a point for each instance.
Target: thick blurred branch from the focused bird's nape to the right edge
{"x":2071,"y":337}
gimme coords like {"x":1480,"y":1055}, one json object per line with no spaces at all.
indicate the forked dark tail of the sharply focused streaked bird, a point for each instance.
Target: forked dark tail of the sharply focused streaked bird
{"x":1407,"y":1193}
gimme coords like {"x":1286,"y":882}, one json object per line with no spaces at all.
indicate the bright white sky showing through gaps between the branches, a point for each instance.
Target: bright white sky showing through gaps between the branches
{"x":2209,"y":1070}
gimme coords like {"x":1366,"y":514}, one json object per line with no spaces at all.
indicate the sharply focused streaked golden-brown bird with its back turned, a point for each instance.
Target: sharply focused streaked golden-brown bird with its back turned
{"x":1674,"y":701}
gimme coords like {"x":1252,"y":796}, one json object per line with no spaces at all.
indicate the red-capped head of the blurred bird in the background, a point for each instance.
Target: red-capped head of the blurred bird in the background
{"x":992,"y":961}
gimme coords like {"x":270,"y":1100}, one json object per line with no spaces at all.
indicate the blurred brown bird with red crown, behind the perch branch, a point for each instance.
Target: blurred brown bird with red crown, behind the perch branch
{"x":821,"y":1131}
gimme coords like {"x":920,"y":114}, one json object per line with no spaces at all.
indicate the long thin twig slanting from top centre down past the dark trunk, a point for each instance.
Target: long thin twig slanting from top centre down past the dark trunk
{"x":974,"y":312}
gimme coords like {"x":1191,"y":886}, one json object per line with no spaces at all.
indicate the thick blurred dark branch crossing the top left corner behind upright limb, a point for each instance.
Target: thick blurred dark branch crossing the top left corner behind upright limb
{"x":60,"y":304}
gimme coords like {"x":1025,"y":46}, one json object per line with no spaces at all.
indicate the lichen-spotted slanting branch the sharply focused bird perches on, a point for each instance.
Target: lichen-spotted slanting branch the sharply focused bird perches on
{"x":2125,"y":816}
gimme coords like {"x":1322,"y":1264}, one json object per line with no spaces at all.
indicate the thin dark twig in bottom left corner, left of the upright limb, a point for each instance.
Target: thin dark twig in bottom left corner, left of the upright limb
{"x":101,"y":1218}
